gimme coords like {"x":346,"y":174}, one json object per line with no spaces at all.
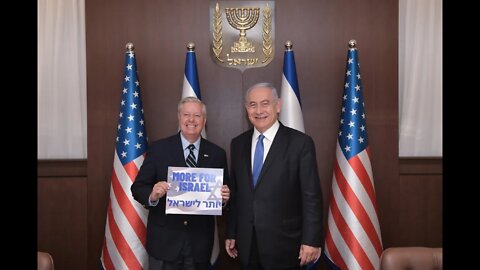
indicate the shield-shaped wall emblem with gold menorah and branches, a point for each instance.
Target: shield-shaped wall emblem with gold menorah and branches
{"x":242,"y":33}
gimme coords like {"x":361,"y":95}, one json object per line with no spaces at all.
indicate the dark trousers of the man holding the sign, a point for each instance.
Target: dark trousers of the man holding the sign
{"x":184,"y":261}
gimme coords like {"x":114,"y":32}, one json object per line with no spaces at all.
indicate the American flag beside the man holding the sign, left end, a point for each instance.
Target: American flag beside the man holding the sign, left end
{"x":124,"y":245}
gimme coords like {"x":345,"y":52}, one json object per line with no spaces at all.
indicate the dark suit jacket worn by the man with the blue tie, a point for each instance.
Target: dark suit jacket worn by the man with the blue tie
{"x":285,"y":207}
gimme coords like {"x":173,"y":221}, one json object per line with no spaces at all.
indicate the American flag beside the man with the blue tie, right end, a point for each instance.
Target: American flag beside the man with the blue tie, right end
{"x":353,"y":238}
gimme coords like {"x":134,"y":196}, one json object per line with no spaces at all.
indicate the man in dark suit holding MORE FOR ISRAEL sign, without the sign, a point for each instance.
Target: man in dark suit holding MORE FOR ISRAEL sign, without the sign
{"x":179,"y":242}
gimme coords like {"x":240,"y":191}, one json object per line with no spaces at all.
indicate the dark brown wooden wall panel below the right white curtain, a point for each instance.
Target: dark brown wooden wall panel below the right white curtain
{"x":421,"y":202}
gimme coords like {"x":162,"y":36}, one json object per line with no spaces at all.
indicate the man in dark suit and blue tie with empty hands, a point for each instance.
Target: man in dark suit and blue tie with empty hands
{"x":275,"y":210}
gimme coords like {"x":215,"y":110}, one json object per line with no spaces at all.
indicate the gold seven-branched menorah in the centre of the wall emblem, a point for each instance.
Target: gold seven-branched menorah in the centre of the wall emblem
{"x":242,"y":19}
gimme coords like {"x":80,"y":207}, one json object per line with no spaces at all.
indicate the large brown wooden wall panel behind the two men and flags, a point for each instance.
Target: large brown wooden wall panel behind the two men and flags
{"x":319,"y":30}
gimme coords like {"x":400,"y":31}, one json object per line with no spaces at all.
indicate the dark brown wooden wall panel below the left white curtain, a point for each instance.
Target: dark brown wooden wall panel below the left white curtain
{"x":62,"y":212}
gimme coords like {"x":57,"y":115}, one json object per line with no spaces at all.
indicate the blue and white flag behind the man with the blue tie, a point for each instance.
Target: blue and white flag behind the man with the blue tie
{"x":291,"y":113}
